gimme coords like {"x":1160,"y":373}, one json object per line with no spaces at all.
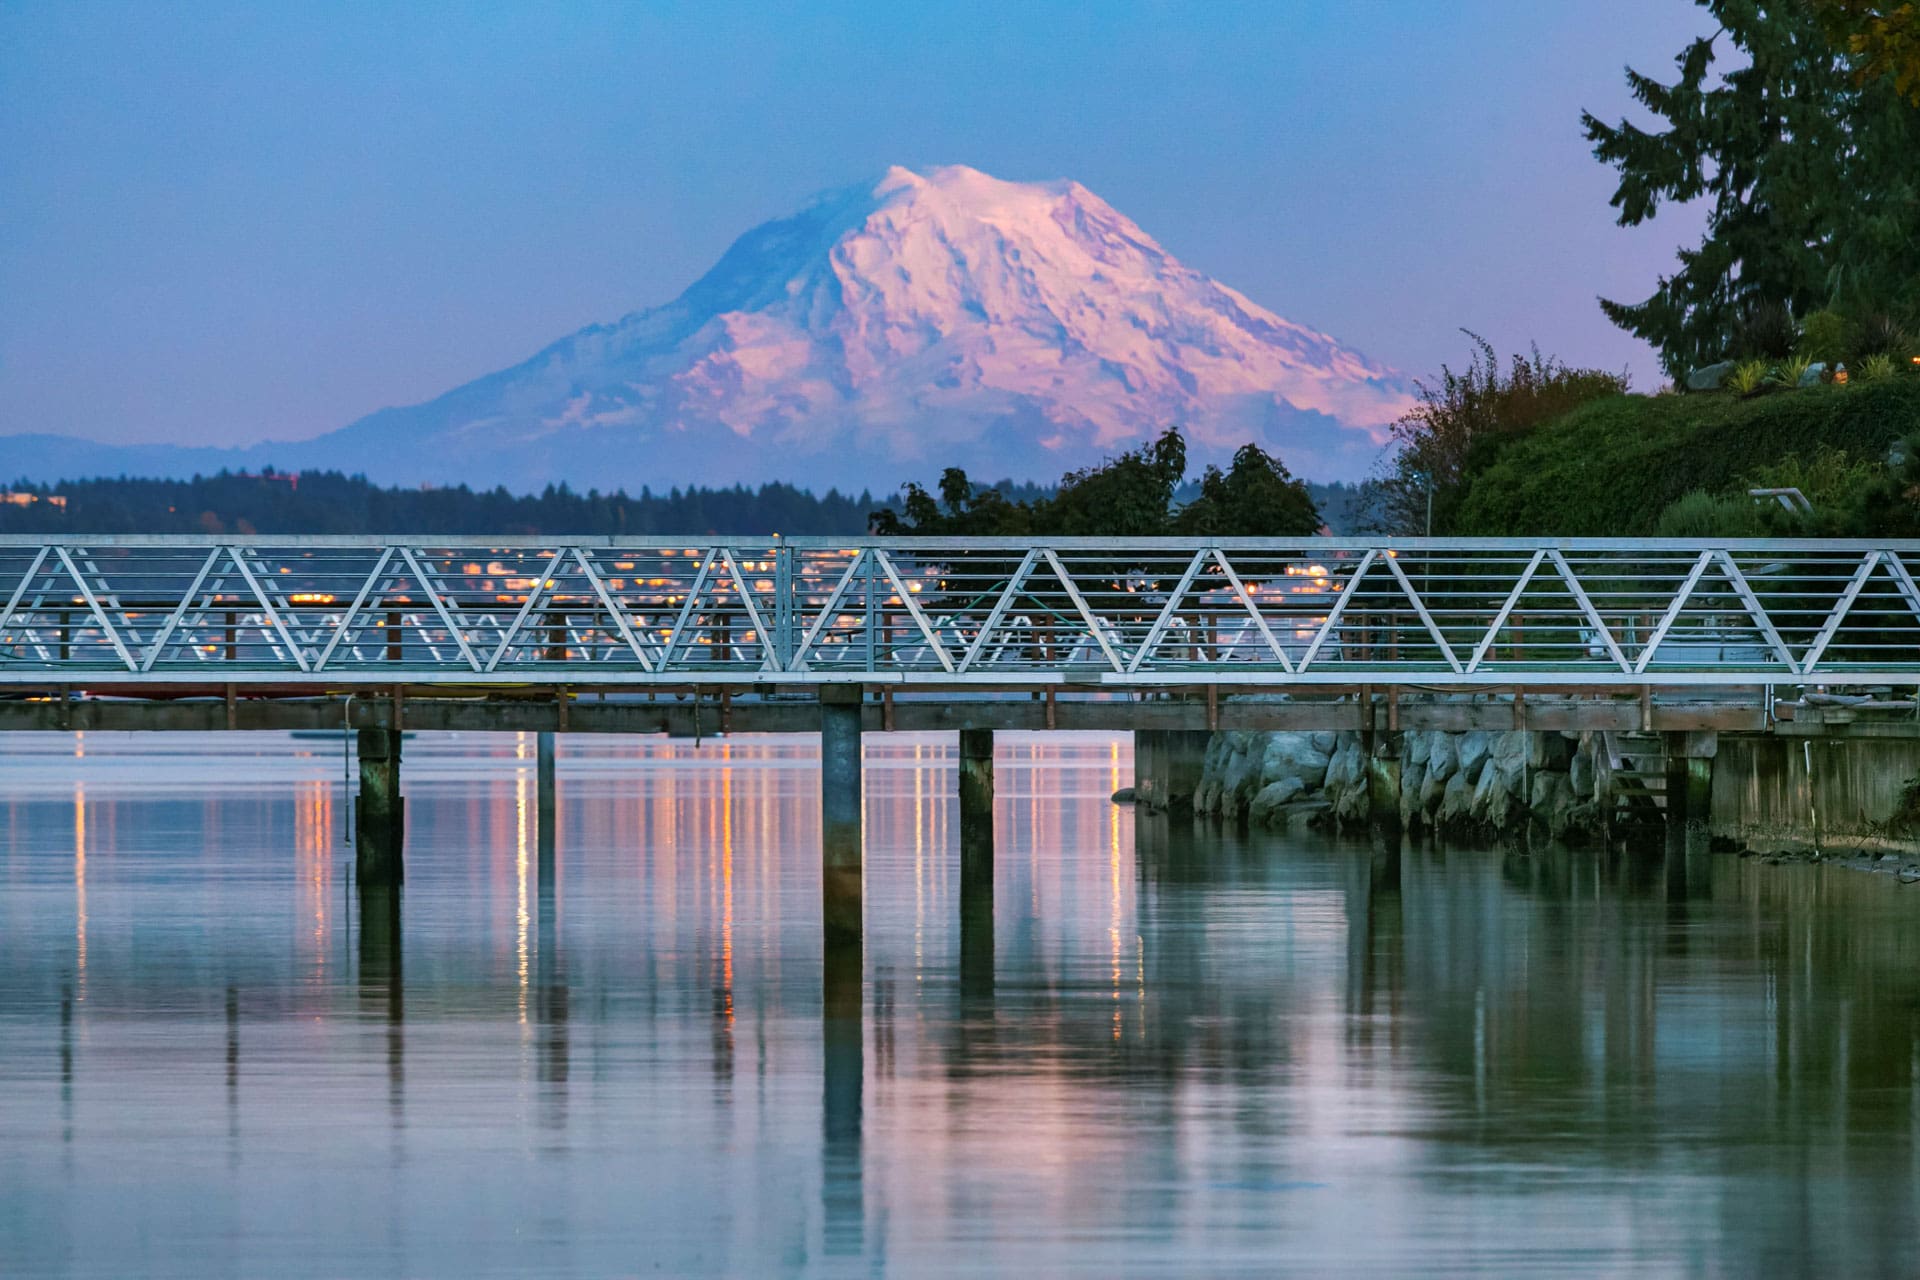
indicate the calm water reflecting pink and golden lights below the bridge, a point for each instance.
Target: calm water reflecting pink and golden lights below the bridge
{"x":1195,"y":1053}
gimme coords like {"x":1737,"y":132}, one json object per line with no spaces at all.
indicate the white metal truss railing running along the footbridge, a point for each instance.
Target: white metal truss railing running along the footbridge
{"x":1134,"y":613}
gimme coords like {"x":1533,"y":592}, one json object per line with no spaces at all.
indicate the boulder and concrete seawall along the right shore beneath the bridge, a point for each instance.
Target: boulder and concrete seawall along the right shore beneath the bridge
{"x":1754,"y":792}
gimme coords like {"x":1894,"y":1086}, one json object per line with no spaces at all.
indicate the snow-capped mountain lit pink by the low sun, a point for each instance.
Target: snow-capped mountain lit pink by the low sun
{"x":884,"y":333}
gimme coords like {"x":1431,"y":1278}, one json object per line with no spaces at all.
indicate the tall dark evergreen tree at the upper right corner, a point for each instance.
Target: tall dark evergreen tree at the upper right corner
{"x":1808,"y":170}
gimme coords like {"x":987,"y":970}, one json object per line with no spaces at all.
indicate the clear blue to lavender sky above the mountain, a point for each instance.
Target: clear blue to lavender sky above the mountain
{"x":264,"y":222}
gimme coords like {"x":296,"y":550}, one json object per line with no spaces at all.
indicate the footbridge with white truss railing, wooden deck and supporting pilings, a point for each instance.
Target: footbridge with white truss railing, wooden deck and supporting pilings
{"x":840,"y":636}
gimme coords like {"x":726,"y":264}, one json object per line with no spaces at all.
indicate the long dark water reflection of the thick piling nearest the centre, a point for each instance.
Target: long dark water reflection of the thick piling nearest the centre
{"x":844,"y":1060}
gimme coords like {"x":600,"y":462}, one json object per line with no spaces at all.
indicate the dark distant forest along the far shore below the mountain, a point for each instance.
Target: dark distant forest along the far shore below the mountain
{"x":333,"y":504}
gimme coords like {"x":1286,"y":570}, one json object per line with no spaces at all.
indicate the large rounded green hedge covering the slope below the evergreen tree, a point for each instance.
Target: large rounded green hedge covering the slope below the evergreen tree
{"x":1616,"y":465}
